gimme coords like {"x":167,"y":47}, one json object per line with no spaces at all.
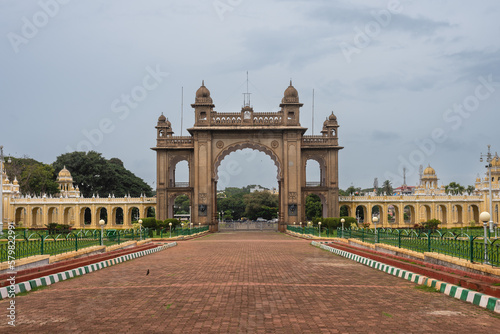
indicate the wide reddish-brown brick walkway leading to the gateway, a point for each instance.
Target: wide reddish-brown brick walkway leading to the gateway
{"x":243,"y":282}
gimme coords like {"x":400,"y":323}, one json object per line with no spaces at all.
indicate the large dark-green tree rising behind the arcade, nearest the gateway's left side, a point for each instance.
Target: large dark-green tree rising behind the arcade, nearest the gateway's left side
{"x":95,"y":175}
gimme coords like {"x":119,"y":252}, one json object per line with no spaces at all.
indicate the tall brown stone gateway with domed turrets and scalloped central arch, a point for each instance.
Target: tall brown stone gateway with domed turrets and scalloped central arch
{"x":215,"y":135}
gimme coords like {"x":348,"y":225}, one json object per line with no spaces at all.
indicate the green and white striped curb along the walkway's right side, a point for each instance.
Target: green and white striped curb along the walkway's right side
{"x":474,"y":297}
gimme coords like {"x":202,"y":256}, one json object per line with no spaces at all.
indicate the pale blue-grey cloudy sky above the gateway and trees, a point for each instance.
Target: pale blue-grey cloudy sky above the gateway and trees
{"x":411,"y":82}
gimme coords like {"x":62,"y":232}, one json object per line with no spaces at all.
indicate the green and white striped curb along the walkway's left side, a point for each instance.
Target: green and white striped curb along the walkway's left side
{"x":54,"y":278}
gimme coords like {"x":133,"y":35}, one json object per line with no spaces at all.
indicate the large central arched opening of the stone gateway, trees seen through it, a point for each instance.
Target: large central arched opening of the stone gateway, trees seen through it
{"x":244,"y":191}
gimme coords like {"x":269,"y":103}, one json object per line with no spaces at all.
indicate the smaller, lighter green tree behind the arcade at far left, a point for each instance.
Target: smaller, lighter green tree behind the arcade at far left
{"x":34,"y":177}
